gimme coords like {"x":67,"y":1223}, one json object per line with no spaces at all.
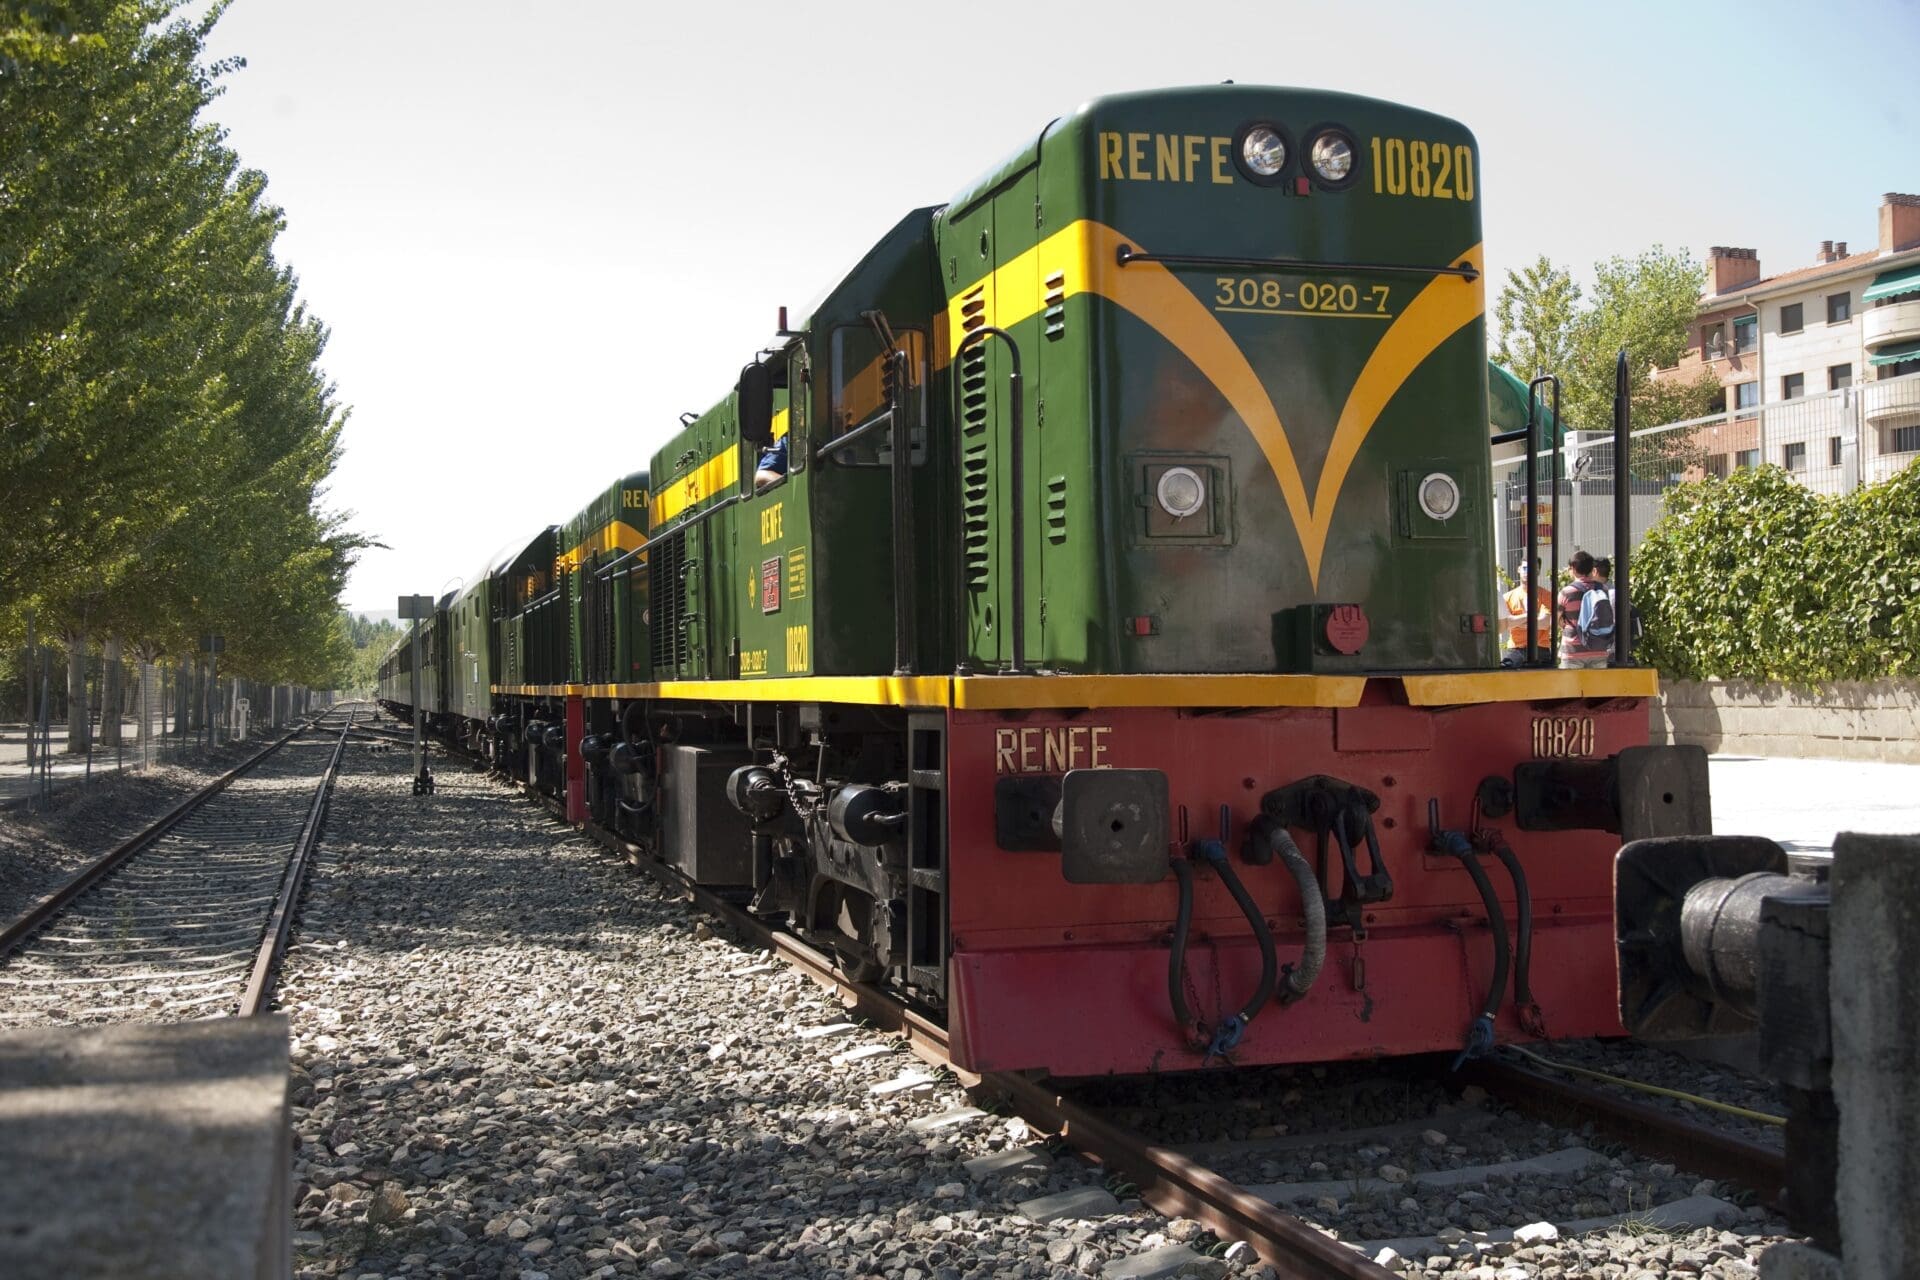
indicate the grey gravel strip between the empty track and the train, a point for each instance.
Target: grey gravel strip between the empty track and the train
{"x":517,"y":1058}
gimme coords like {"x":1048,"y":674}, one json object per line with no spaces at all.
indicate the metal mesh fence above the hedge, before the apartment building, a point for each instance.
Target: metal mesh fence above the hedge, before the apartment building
{"x":1833,"y":444}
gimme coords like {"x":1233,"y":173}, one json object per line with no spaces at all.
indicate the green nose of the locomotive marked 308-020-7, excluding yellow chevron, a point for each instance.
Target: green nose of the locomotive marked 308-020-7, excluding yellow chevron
{"x":1115,"y":400}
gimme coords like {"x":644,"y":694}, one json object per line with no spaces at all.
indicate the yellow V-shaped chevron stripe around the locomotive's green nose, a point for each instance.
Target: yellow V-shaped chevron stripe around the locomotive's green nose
{"x":1086,"y":260}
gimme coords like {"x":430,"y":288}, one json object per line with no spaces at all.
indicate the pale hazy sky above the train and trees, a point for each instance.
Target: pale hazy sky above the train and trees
{"x":542,"y":231}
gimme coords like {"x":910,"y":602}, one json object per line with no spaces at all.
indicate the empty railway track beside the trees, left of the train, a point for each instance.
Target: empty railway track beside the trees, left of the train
{"x":189,"y":918}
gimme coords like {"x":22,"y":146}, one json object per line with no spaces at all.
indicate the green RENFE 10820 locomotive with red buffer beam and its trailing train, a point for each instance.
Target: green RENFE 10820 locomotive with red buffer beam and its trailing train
{"x":1086,"y":607}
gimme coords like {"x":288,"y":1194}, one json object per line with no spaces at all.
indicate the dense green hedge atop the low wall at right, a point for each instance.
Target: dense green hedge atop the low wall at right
{"x":1760,"y":579}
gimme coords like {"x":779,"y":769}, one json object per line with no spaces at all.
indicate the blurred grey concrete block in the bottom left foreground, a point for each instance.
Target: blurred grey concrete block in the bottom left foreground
{"x":141,"y":1150}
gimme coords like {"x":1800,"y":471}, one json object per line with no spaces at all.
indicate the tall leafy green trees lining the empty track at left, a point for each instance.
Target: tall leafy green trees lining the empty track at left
{"x":164,"y":421}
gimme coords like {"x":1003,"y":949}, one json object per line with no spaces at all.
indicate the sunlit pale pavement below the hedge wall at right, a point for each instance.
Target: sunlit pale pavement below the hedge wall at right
{"x":1806,"y":803}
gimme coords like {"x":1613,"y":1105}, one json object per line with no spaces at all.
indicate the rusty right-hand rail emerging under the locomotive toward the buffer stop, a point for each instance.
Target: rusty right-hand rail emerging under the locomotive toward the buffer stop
{"x":1646,"y":1129}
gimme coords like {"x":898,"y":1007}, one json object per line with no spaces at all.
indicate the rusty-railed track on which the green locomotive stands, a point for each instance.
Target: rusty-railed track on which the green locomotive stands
{"x":1220,"y":1187}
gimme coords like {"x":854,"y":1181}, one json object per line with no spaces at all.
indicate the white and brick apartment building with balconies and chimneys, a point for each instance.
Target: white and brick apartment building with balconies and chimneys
{"x":1821,"y":364}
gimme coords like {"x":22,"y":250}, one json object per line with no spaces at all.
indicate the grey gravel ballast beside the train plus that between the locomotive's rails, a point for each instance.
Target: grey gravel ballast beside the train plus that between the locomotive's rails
{"x":516,"y":1056}
